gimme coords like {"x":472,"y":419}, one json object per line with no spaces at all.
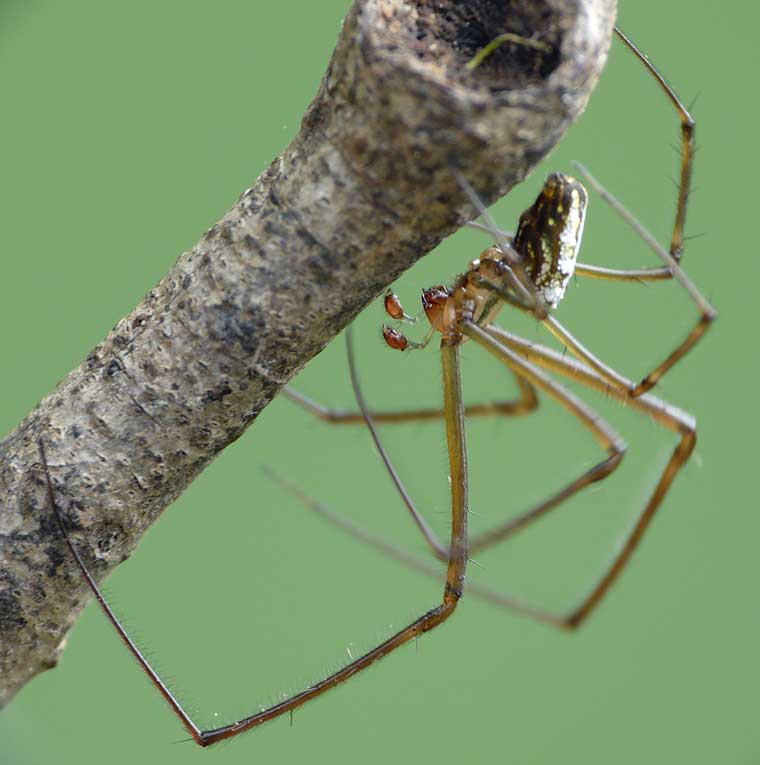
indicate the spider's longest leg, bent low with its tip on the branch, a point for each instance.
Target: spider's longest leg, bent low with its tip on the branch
{"x":457,"y":560}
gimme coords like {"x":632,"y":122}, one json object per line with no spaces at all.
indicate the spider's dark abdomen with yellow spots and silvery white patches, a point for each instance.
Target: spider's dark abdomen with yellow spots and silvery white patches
{"x":549,"y":235}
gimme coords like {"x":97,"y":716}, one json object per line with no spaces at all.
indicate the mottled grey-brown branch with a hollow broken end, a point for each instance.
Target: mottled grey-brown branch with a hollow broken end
{"x":363,"y":191}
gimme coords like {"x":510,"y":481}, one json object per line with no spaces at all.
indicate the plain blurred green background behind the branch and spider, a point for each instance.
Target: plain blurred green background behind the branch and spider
{"x":127,"y":129}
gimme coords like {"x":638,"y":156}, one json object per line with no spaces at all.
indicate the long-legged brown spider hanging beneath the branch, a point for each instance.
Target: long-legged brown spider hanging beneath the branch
{"x":529,"y":271}
